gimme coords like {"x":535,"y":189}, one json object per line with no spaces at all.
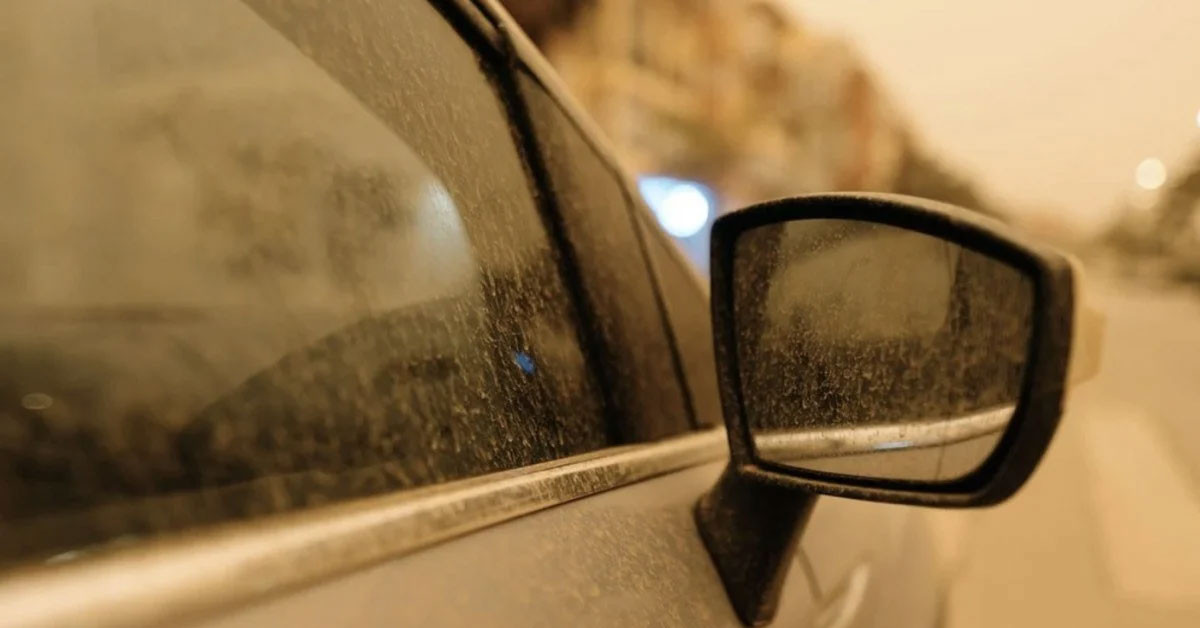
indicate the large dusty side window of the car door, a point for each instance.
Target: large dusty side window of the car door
{"x":263,"y":256}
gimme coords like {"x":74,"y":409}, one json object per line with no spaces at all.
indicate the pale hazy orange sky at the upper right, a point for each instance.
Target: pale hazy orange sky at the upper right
{"x":1049,"y":104}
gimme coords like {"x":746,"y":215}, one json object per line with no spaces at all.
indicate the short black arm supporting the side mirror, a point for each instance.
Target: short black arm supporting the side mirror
{"x":751,"y":528}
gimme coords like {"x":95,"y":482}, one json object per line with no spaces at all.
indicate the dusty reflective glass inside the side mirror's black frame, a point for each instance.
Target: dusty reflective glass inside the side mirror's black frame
{"x":873,"y":351}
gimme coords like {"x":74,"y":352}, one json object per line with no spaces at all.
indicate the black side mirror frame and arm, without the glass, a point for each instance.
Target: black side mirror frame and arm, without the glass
{"x":752,"y":519}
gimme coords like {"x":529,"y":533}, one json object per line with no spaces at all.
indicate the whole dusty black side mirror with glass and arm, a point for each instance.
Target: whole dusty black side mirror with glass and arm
{"x":877,"y":348}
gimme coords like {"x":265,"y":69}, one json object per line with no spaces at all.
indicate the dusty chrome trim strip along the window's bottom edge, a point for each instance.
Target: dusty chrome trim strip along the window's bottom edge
{"x":195,"y":575}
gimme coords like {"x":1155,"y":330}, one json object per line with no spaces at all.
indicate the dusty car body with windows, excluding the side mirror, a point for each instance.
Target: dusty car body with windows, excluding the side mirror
{"x":548,"y":349}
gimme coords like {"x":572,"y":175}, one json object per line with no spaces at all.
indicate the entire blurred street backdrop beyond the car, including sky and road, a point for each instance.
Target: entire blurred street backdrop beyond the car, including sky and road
{"x":1077,"y":122}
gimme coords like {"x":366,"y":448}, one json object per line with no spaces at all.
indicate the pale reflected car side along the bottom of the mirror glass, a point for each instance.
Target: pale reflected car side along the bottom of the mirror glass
{"x":928,"y":451}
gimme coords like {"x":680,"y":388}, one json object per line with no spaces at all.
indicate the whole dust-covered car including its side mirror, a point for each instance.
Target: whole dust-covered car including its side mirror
{"x":344,"y":314}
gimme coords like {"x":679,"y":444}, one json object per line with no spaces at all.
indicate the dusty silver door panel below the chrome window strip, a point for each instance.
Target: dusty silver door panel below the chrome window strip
{"x":631,"y":557}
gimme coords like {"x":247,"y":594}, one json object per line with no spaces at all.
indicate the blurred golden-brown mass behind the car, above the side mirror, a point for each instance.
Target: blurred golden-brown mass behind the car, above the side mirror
{"x":737,"y":94}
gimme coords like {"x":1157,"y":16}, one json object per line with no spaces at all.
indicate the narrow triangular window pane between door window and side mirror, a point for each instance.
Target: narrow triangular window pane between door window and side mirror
{"x":641,"y":367}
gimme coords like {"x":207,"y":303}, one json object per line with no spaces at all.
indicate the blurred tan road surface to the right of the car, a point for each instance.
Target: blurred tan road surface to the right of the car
{"x":1107,"y":534}
